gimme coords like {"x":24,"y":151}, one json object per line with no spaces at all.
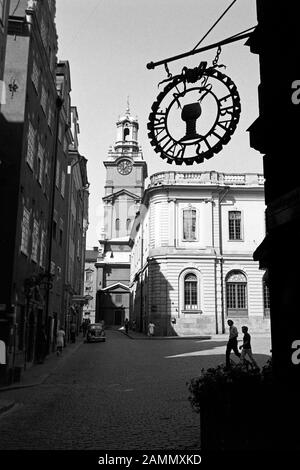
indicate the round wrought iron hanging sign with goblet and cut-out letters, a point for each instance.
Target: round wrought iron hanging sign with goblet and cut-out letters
{"x":194,"y":116}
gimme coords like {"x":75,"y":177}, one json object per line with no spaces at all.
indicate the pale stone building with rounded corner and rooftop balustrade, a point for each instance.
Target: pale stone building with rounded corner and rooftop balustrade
{"x":192,"y":262}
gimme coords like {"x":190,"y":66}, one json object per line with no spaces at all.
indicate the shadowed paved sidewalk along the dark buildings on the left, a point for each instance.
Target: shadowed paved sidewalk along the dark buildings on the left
{"x":38,"y":373}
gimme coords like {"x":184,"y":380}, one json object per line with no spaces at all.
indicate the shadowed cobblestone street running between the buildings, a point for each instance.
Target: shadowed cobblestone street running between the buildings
{"x":123,"y":394}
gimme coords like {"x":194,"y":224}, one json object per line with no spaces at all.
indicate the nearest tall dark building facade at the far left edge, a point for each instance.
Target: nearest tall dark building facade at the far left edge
{"x":28,"y":130}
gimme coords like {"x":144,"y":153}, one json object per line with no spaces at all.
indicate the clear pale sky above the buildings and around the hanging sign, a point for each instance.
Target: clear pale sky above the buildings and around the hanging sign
{"x":108,"y":44}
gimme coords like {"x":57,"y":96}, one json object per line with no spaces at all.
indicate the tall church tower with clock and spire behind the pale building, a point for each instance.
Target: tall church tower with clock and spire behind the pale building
{"x":126,"y":172}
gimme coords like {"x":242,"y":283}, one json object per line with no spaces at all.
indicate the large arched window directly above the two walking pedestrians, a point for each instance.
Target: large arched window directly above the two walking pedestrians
{"x":236,"y":294}
